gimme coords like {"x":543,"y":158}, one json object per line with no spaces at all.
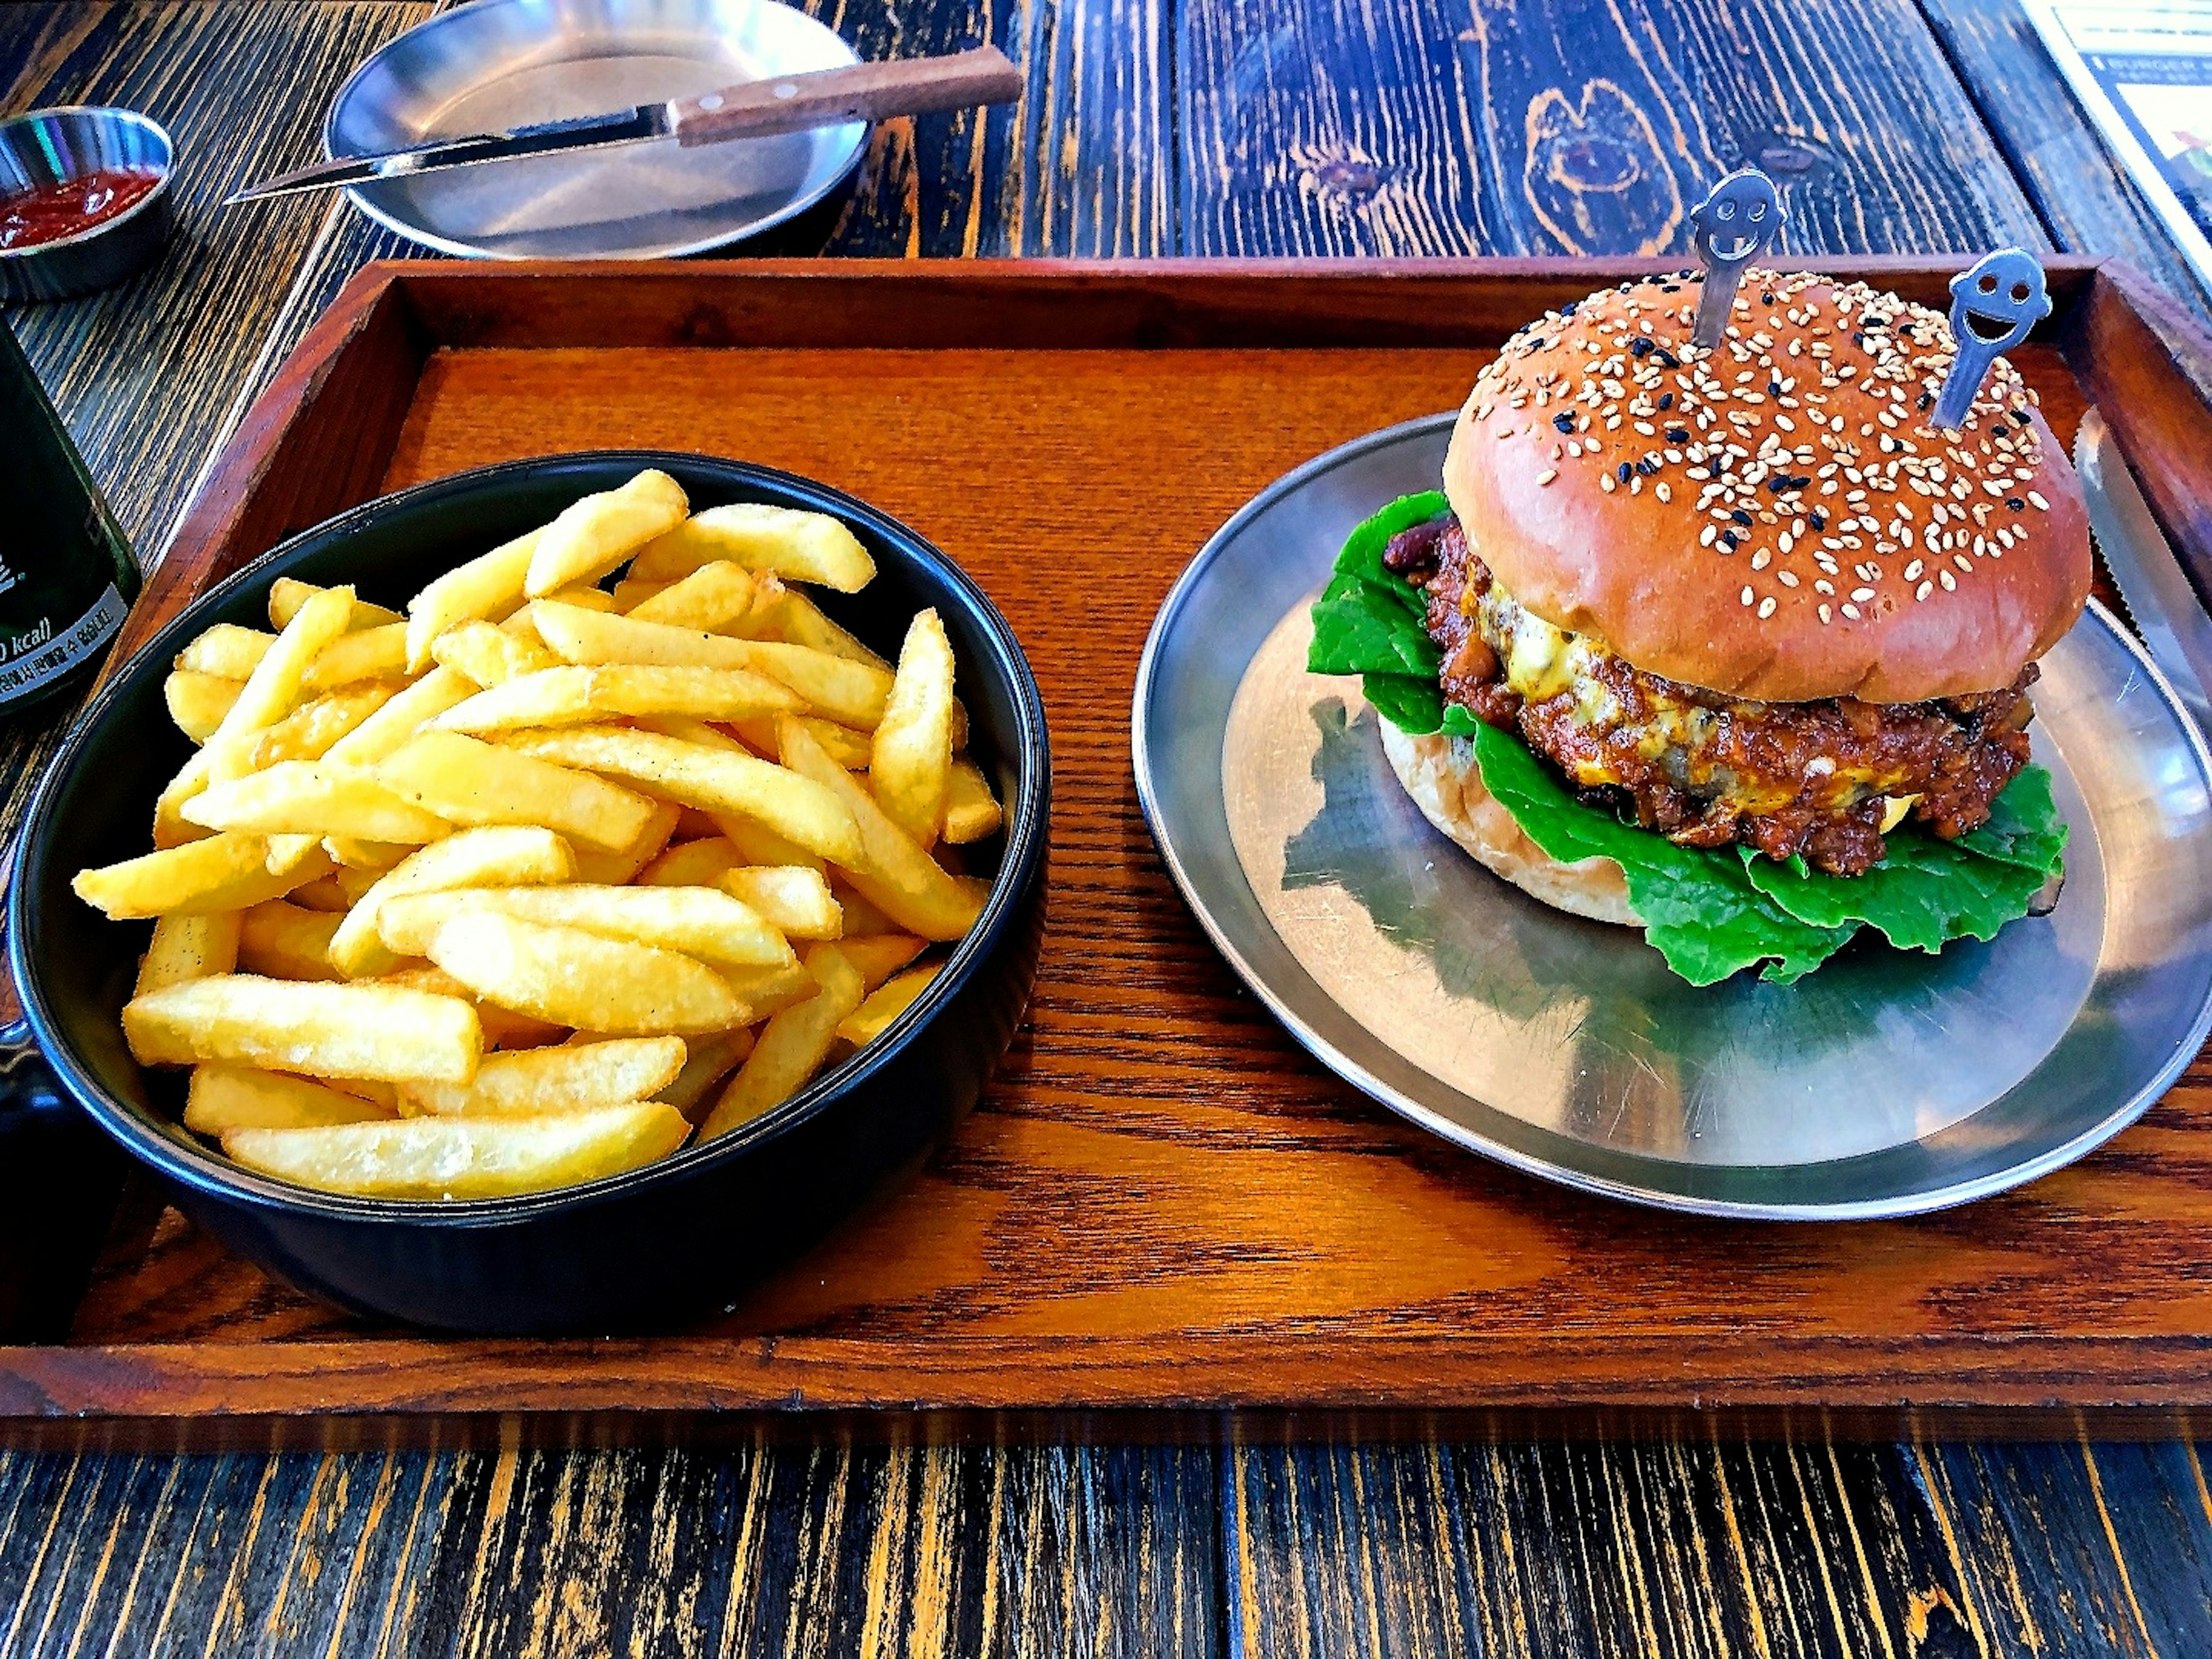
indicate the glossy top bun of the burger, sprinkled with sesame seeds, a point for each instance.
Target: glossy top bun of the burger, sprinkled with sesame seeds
{"x":1777,"y":519}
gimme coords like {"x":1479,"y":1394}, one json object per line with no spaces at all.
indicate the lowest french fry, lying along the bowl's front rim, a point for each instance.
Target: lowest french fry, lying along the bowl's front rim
{"x":463,"y":1158}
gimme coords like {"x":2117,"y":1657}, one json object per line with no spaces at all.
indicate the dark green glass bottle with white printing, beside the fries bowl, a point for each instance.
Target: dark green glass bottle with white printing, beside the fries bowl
{"x":67,"y":574}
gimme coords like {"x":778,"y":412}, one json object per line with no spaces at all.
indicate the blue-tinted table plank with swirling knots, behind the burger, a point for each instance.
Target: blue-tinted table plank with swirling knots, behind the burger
{"x":1541,"y":129}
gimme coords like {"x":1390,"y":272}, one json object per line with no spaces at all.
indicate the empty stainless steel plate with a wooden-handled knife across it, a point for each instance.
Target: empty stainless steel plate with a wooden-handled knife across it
{"x":508,"y":63}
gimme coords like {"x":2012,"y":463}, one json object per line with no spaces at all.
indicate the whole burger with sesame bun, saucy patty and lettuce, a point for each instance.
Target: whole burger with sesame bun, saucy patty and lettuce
{"x":1731,"y":645}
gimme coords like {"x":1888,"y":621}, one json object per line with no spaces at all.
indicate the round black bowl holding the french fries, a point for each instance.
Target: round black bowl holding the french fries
{"x":632,"y":1251}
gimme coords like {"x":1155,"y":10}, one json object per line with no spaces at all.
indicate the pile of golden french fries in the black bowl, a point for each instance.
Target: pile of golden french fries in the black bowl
{"x":545,"y":877}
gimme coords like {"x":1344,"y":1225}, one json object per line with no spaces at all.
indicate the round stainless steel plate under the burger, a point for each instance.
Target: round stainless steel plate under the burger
{"x":1884,"y":1085}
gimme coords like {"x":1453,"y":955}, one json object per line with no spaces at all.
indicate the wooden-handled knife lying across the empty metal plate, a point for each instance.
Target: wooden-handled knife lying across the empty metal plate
{"x":751,"y":109}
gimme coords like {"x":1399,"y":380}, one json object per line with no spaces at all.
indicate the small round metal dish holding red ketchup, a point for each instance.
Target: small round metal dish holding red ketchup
{"x":59,"y":145}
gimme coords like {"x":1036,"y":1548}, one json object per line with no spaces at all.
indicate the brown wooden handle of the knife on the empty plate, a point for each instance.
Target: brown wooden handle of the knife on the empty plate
{"x":855,"y":94}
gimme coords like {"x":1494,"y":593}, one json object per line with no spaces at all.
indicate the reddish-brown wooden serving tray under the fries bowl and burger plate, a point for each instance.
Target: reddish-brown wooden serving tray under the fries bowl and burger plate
{"x":1165,"y":1209}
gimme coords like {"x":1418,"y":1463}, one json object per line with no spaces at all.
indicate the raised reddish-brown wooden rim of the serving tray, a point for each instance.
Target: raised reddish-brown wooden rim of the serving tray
{"x":404,"y":1388}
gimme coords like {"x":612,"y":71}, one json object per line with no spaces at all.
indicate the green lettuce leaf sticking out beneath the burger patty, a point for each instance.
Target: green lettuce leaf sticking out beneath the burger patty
{"x":1709,"y":910}
